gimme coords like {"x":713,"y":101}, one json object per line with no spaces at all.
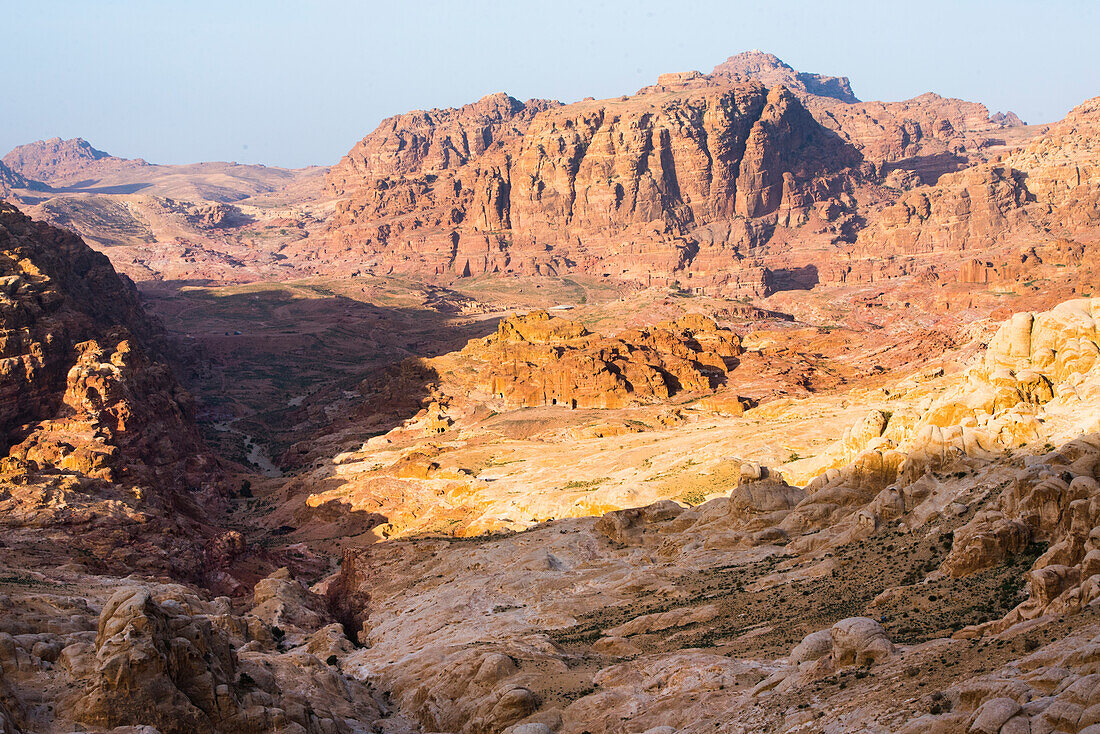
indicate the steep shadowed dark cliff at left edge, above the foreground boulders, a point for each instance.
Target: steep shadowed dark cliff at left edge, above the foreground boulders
{"x":97,"y":435}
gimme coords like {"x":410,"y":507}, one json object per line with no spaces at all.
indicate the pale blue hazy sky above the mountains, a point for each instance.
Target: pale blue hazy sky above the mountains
{"x":296,"y":84}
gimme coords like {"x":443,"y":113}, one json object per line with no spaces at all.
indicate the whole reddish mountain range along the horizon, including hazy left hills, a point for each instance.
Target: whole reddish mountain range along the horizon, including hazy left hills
{"x":749,"y":181}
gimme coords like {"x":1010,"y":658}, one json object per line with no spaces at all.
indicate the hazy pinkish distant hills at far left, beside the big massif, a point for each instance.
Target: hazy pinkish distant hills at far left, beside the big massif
{"x":223,"y":221}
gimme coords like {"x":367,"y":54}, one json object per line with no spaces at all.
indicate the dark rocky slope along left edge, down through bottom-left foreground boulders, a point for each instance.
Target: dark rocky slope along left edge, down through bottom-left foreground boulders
{"x":109,"y":505}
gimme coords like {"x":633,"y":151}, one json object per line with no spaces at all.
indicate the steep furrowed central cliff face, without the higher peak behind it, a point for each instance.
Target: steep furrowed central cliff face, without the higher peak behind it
{"x":619,"y":185}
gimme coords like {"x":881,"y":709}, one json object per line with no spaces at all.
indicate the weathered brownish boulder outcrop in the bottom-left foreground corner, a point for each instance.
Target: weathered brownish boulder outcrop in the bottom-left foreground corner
{"x":164,"y":658}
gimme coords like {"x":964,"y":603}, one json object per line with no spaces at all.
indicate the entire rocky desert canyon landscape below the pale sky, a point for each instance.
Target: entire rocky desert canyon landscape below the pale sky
{"x":736,"y":404}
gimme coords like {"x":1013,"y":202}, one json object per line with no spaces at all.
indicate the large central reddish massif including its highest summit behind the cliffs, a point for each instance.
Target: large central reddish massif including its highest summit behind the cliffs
{"x":709,"y":178}
